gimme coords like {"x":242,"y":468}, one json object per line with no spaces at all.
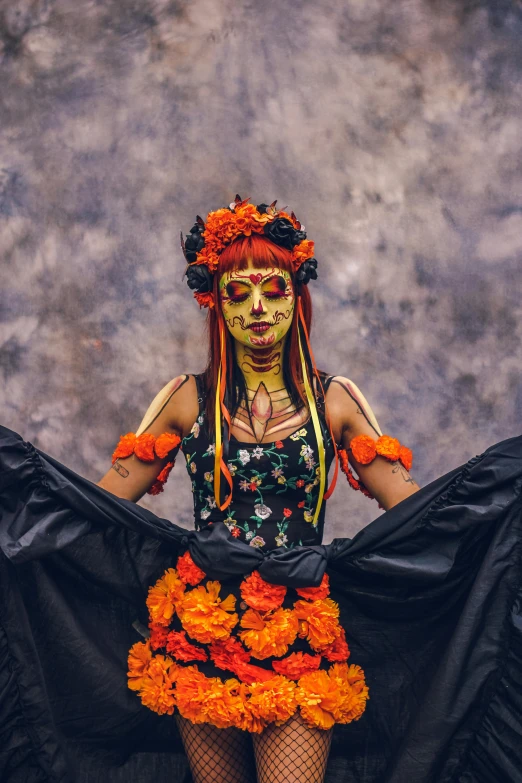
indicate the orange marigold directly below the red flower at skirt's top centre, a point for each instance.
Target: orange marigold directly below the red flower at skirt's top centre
{"x":269,"y":634}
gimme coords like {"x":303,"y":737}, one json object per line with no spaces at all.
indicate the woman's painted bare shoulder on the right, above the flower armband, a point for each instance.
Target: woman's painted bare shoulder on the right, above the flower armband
{"x":348,"y":407}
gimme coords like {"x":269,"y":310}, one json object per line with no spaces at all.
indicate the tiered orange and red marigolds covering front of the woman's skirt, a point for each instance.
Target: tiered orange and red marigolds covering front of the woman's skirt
{"x":253,"y":696}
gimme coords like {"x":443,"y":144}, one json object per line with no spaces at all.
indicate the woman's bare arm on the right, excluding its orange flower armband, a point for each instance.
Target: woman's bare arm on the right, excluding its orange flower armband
{"x":351,"y":415}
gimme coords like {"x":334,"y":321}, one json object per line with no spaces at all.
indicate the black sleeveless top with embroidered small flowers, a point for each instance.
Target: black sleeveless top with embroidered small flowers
{"x":275,"y":484}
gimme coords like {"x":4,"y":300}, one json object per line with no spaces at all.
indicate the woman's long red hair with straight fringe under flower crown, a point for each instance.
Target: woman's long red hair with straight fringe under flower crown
{"x":263,"y":253}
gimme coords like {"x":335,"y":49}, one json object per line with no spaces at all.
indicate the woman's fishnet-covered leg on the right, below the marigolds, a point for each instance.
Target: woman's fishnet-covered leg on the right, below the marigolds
{"x":292,"y":753}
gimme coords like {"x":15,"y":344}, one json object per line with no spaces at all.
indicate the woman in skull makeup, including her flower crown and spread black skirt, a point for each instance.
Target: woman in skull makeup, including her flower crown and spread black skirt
{"x":393,"y":656}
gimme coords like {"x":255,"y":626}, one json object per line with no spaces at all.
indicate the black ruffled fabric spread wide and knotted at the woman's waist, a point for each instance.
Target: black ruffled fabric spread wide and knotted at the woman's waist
{"x":430,"y":595}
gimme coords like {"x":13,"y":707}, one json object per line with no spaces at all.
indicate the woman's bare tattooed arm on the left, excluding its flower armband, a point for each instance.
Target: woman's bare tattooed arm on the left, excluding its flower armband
{"x":174,"y":410}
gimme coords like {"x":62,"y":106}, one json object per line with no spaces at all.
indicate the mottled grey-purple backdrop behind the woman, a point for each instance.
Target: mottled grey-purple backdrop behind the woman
{"x":392,"y":129}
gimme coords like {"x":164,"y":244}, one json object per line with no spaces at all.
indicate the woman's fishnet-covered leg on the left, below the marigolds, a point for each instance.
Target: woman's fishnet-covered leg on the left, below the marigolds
{"x":217,"y":755}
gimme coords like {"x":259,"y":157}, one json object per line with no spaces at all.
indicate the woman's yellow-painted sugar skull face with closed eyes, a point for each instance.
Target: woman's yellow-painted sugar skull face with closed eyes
{"x":257,"y":304}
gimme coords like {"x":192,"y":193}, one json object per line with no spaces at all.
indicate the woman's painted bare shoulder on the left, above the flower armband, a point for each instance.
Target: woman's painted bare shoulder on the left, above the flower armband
{"x":174,"y":407}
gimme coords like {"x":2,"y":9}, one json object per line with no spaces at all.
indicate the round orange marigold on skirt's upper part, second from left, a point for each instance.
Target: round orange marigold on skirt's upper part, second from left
{"x":205,"y":616}
